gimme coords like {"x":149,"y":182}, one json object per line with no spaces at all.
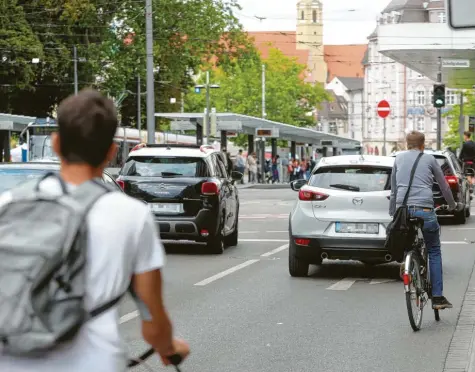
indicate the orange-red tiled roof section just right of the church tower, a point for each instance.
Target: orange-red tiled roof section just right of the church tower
{"x":345,"y":60}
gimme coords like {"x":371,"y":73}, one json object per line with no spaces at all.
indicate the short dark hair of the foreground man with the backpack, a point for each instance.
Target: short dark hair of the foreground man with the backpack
{"x":87,"y":124}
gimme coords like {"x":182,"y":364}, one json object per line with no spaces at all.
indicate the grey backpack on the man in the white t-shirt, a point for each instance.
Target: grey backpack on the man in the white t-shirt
{"x":43,"y":247}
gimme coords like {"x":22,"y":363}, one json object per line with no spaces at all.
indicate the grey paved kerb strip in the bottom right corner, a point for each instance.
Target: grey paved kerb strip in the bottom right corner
{"x":461,"y":353}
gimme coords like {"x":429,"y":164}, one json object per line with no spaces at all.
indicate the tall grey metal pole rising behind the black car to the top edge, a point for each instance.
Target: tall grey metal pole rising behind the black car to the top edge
{"x":150,"y":77}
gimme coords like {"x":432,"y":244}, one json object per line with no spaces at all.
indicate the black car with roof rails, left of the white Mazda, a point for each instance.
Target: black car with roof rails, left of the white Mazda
{"x":188,"y":190}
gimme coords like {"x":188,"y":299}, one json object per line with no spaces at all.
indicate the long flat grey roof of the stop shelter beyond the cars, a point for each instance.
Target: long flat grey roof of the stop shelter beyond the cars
{"x":248,"y":125}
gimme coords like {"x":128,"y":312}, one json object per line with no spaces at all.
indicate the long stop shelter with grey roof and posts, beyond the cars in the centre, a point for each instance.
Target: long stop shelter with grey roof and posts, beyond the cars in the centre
{"x":257,"y":128}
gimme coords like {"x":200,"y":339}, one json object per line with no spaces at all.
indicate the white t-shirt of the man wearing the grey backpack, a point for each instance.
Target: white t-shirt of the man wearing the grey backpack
{"x":123,"y":240}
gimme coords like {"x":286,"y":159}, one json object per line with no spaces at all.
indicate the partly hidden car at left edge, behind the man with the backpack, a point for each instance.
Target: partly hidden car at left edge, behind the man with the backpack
{"x":14,"y":174}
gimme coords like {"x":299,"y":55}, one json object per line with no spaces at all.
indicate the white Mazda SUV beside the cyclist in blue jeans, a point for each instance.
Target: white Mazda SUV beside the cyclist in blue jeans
{"x":341,"y":212}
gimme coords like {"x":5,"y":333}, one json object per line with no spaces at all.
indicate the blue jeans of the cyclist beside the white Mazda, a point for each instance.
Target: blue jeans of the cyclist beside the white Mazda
{"x":431,"y":232}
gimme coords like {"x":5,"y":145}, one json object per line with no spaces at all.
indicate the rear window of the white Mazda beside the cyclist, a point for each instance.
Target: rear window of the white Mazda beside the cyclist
{"x":352,"y":178}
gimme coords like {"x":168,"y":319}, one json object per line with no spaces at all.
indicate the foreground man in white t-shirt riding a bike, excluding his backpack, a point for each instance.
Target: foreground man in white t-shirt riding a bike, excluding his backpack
{"x":123,"y":245}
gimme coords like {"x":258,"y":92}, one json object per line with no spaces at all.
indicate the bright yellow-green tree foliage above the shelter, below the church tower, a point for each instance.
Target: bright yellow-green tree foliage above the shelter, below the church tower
{"x":288,"y":97}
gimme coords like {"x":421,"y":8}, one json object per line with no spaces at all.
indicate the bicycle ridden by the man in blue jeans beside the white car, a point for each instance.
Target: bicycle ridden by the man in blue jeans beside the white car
{"x":416,"y":276}
